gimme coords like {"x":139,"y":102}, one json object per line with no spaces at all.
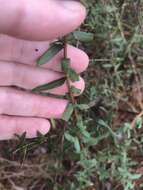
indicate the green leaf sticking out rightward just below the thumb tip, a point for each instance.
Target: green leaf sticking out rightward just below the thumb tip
{"x":83,"y":36}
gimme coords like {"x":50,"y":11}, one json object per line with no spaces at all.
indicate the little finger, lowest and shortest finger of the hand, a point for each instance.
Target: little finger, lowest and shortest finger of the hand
{"x":11,"y":126}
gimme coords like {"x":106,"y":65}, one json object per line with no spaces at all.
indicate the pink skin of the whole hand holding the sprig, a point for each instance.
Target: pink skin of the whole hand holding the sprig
{"x":26,"y":29}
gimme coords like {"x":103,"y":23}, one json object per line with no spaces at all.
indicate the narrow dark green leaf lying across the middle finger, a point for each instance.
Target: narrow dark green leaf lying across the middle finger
{"x":50,"y":85}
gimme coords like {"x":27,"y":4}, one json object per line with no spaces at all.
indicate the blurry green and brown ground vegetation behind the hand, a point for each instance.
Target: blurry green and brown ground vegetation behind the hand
{"x":104,"y":151}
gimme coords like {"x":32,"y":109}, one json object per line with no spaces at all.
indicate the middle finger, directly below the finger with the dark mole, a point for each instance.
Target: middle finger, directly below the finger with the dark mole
{"x":28,"y":77}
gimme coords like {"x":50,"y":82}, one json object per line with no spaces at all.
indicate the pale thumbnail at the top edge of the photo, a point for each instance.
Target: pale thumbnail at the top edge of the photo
{"x":72,"y":5}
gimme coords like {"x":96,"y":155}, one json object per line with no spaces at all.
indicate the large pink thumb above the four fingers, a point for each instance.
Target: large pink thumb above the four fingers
{"x":40,"y":19}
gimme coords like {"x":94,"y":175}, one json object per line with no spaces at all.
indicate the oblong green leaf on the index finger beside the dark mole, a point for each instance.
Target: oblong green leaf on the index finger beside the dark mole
{"x":49,"y":54}
